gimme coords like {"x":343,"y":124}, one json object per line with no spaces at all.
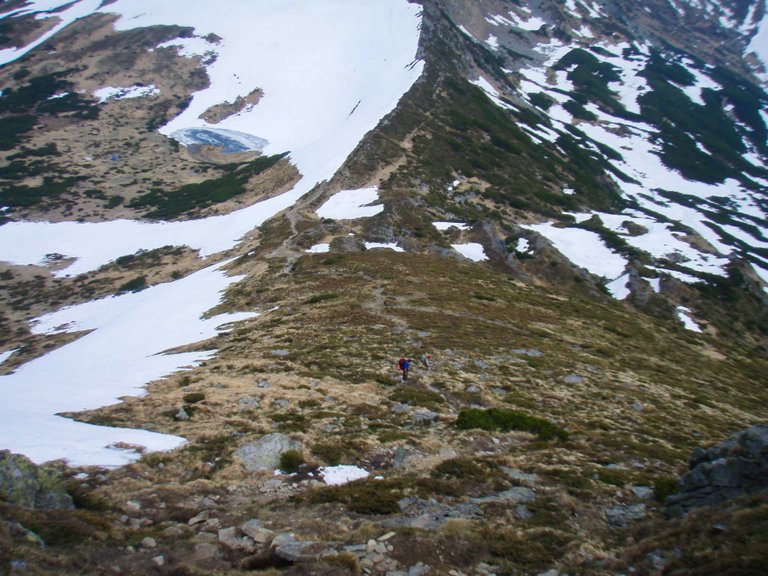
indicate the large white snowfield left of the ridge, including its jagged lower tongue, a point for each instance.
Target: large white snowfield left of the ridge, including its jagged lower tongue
{"x":329,"y":72}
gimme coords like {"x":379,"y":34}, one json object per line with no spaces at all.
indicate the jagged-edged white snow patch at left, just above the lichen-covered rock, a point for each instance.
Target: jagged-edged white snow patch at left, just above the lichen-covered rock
{"x":124,"y":350}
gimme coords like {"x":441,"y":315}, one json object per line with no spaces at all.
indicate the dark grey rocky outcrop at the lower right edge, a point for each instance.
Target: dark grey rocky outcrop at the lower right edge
{"x":736,"y":467}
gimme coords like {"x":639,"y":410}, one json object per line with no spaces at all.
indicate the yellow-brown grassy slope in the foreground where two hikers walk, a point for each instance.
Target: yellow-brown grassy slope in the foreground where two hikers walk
{"x":649,"y":392}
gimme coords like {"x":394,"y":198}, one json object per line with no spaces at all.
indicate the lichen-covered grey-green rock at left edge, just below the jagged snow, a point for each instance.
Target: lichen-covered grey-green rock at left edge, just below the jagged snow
{"x":25,"y":484}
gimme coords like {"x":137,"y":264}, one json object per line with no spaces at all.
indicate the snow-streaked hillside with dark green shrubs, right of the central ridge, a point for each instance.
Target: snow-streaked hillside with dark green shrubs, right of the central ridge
{"x":686,"y":141}
